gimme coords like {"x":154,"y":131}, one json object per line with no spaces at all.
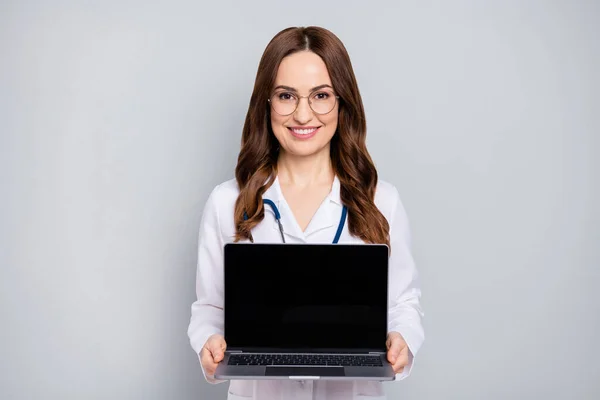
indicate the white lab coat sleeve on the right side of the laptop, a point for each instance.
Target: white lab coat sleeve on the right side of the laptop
{"x":405,"y":311}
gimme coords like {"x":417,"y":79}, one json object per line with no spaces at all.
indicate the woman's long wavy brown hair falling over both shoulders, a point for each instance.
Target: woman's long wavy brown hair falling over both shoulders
{"x":257,"y":161}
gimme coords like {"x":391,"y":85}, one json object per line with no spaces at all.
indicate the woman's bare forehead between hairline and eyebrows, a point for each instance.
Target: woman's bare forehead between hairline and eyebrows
{"x":303,"y":71}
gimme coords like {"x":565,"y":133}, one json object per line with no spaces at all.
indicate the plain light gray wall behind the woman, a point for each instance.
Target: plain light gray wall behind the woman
{"x":118,"y":117}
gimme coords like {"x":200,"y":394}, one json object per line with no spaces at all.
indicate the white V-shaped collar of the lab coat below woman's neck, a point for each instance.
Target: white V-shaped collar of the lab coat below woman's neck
{"x":323,"y":218}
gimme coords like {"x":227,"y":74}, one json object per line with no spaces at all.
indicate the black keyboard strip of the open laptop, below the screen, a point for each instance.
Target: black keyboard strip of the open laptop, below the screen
{"x":305,"y":359}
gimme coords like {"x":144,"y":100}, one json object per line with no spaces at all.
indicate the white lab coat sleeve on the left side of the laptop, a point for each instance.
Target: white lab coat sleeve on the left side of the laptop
{"x":207,"y":316}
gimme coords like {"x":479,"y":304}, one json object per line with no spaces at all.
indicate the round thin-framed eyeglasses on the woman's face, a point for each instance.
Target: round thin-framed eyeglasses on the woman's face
{"x":321,"y":101}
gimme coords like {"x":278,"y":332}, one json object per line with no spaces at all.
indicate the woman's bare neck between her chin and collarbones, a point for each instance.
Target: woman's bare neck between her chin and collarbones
{"x":304,"y":171}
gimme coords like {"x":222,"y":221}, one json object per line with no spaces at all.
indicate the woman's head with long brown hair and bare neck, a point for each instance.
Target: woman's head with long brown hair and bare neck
{"x":309,"y":64}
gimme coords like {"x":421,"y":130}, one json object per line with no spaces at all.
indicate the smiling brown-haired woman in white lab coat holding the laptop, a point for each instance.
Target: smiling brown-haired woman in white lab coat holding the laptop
{"x":303,"y":147}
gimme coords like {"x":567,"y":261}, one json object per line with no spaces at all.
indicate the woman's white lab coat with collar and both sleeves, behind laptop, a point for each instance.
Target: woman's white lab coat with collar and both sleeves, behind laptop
{"x":217,"y":228}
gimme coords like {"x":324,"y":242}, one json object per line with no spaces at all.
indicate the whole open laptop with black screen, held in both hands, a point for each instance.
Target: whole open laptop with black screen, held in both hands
{"x":305,"y":311}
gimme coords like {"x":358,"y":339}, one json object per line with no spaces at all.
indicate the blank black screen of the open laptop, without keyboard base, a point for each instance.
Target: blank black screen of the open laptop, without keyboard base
{"x":306,"y":297}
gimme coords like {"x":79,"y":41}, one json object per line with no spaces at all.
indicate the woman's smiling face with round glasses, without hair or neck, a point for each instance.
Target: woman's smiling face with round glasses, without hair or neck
{"x":304,"y":132}
